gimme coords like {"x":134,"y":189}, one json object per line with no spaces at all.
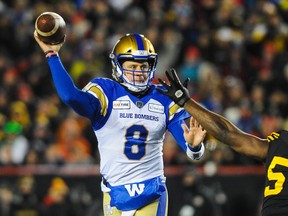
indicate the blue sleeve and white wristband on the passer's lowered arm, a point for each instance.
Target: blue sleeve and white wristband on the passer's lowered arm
{"x":193,"y":153}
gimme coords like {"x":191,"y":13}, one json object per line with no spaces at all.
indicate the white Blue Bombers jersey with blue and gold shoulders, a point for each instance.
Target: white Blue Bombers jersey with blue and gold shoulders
{"x":130,"y":131}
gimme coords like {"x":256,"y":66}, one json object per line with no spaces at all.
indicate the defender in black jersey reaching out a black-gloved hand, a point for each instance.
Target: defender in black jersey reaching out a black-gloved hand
{"x":273,"y":150}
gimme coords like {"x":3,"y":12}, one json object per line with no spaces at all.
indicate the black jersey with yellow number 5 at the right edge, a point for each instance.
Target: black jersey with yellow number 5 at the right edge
{"x":275,"y":201}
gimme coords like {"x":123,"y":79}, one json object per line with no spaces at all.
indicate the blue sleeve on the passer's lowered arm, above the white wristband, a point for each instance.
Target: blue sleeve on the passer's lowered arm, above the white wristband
{"x":176,"y":130}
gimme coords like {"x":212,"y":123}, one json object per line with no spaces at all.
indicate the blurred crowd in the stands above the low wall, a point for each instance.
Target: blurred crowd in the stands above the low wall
{"x":233,"y":51}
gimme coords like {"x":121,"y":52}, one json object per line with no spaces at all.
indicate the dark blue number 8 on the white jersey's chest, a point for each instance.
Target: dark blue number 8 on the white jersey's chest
{"x":136,"y":137}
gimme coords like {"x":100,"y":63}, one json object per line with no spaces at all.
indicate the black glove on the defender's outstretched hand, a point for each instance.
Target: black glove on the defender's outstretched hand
{"x":176,"y":91}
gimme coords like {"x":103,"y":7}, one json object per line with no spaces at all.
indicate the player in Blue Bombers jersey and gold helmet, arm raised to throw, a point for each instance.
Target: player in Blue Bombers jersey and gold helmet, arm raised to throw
{"x":130,"y":118}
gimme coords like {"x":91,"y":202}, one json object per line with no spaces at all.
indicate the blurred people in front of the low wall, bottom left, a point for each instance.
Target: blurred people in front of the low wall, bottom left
{"x":59,"y":199}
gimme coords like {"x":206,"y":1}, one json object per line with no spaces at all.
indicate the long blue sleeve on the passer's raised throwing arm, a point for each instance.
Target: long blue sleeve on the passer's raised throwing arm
{"x":81,"y":102}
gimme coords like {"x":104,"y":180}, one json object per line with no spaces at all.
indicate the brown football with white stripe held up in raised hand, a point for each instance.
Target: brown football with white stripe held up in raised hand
{"x":50,"y":28}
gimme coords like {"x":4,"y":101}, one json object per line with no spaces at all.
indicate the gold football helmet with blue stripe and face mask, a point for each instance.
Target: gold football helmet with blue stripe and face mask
{"x":133,"y":47}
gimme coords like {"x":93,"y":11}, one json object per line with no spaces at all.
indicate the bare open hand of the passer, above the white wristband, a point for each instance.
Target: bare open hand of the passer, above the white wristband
{"x":195,"y":135}
